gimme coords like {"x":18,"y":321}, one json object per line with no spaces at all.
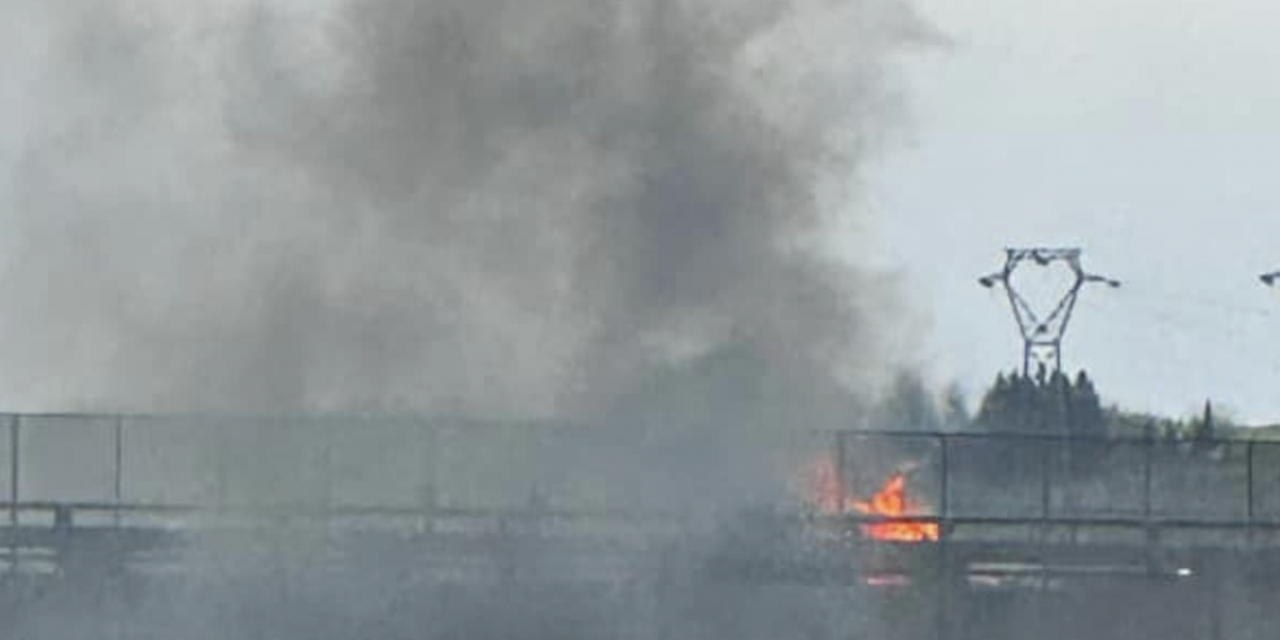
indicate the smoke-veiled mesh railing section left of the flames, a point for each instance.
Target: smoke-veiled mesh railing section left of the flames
{"x":179,"y":465}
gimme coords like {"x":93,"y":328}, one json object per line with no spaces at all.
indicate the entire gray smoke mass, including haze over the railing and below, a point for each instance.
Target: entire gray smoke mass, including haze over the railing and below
{"x":605,"y":211}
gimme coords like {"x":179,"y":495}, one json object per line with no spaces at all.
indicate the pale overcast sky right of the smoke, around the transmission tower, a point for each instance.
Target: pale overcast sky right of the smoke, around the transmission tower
{"x":1144,"y":131}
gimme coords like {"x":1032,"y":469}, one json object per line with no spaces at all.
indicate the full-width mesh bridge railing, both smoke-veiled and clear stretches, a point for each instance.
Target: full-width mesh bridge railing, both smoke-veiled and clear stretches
{"x":112,"y":468}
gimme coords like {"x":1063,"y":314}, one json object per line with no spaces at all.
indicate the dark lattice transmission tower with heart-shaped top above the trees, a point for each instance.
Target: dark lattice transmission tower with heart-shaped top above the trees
{"x":1044,"y":332}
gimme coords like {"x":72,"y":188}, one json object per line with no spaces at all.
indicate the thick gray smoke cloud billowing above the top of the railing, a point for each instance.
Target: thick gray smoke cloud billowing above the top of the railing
{"x":490,"y":208}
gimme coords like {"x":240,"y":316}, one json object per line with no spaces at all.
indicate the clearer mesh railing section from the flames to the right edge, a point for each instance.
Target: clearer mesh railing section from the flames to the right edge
{"x":1072,"y":479}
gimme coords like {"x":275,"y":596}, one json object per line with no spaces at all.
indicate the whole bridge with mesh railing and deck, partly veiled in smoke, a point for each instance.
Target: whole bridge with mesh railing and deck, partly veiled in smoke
{"x":1025,"y":520}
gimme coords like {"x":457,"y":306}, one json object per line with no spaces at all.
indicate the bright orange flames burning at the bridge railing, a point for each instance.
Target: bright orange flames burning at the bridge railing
{"x":892,"y":502}
